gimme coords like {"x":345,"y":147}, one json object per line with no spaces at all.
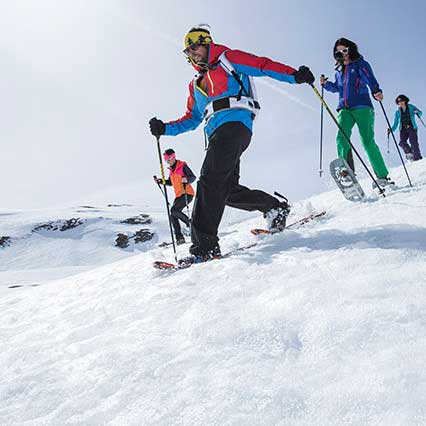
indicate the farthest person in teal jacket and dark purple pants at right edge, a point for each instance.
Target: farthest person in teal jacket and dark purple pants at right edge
{"x":405,"y":120}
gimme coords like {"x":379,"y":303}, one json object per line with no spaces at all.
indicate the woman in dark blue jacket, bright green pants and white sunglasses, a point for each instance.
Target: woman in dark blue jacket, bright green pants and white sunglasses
{"x":354,"y":80}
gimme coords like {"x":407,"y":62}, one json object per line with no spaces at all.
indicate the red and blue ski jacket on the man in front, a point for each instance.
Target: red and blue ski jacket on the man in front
{"x":216,"y":83}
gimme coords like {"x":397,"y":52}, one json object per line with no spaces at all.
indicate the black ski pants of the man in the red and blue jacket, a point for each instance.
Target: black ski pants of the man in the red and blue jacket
{"x":218,"y":186}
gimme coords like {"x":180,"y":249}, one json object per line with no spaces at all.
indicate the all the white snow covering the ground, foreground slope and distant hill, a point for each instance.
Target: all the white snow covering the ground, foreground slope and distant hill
{"x":322,"y":325}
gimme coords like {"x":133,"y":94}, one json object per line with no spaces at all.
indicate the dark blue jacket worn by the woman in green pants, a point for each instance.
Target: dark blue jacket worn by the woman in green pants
{"x":352,"y":83}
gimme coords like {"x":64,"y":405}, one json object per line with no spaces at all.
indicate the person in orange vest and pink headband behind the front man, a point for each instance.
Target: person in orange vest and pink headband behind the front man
{"x":180,"y":179}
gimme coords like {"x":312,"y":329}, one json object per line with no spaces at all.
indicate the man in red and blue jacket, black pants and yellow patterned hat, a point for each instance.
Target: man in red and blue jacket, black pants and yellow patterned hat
{"x":223,"y":95}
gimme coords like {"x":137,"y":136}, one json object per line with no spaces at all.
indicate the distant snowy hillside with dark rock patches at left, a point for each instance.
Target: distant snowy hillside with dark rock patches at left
{"x":33,"y":257}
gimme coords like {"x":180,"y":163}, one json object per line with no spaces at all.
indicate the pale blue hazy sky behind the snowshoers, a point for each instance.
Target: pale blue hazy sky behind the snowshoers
{"x":81,"y":79}
